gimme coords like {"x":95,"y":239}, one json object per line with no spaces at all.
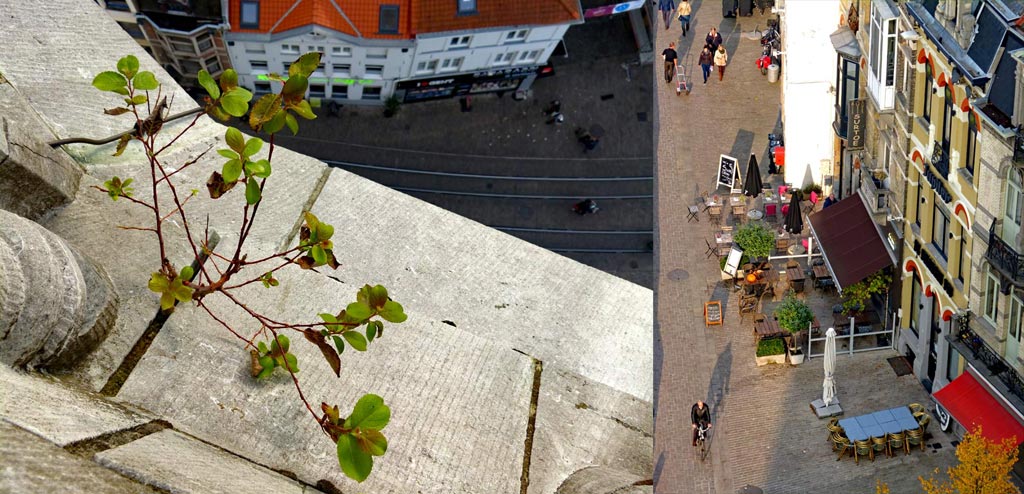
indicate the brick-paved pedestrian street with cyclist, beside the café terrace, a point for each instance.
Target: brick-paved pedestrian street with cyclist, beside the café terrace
{"x":765,"y":434}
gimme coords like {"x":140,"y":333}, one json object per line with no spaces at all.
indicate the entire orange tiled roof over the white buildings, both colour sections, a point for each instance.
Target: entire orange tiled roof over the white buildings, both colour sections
{"x":414,"y":16}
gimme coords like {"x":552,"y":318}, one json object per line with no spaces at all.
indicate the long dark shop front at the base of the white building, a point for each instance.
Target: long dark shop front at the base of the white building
{"x":500,"y":80}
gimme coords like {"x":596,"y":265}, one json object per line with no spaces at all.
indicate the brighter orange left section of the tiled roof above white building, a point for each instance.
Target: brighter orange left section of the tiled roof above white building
{"x":365,"y":15}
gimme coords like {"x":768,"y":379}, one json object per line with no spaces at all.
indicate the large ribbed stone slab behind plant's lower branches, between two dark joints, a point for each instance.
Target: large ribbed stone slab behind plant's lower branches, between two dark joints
{"x":460,"y":404}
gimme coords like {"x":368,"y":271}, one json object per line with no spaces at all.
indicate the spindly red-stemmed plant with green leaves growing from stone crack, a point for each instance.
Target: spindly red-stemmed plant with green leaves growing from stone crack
{"x":358,"y":437}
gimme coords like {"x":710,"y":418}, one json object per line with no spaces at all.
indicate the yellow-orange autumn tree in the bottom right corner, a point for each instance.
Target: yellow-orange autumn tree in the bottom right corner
{"x":985,"y":468}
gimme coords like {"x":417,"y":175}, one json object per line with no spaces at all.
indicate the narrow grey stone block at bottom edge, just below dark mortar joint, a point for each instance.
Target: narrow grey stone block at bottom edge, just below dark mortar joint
{"x":173,"y":462}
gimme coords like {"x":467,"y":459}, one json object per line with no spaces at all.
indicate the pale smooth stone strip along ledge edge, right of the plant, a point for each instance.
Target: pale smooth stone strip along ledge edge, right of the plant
{"x":505,"y":291}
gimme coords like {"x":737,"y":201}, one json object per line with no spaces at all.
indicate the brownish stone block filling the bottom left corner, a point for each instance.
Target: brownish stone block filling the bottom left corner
{"x":32,"y":466}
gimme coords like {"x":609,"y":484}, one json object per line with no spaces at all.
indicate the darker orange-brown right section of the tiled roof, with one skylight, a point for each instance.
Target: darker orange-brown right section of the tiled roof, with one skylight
{"x":442,"y":16}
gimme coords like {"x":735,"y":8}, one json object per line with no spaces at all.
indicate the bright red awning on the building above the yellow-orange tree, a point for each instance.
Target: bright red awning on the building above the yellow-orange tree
{"x":972,"y":405}
